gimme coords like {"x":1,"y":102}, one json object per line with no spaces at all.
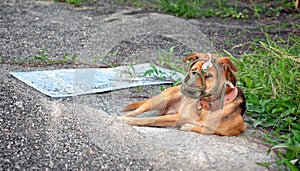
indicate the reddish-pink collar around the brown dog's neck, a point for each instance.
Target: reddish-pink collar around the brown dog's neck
{"x":216,"y":104}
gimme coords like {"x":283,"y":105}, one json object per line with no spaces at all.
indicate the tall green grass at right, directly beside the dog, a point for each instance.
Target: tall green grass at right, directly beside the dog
{"x":270,"y":78}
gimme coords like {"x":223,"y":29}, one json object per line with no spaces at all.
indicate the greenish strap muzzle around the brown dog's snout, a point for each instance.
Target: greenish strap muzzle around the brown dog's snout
{"x":189,"y":85}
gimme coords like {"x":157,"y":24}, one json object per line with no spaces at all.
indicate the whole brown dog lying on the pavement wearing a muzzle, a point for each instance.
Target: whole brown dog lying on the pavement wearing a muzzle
{"x":207,"y":102}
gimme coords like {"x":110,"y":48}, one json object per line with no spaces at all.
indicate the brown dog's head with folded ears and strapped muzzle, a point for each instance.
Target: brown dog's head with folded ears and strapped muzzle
{"x":207,"y":75}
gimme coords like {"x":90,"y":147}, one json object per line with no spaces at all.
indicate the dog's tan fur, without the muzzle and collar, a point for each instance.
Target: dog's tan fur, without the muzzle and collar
{"x":179,"y":110}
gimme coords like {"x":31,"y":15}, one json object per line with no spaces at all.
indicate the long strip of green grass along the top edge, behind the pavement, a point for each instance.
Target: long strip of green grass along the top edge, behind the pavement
{"x":219,"y":8}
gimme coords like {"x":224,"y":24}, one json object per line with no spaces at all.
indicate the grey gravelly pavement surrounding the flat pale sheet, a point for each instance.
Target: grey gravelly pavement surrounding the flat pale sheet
{"x":81,"y":133}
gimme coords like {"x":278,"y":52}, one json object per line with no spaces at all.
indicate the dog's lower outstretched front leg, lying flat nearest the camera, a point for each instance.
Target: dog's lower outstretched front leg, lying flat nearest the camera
{"x":159,"y":121}
